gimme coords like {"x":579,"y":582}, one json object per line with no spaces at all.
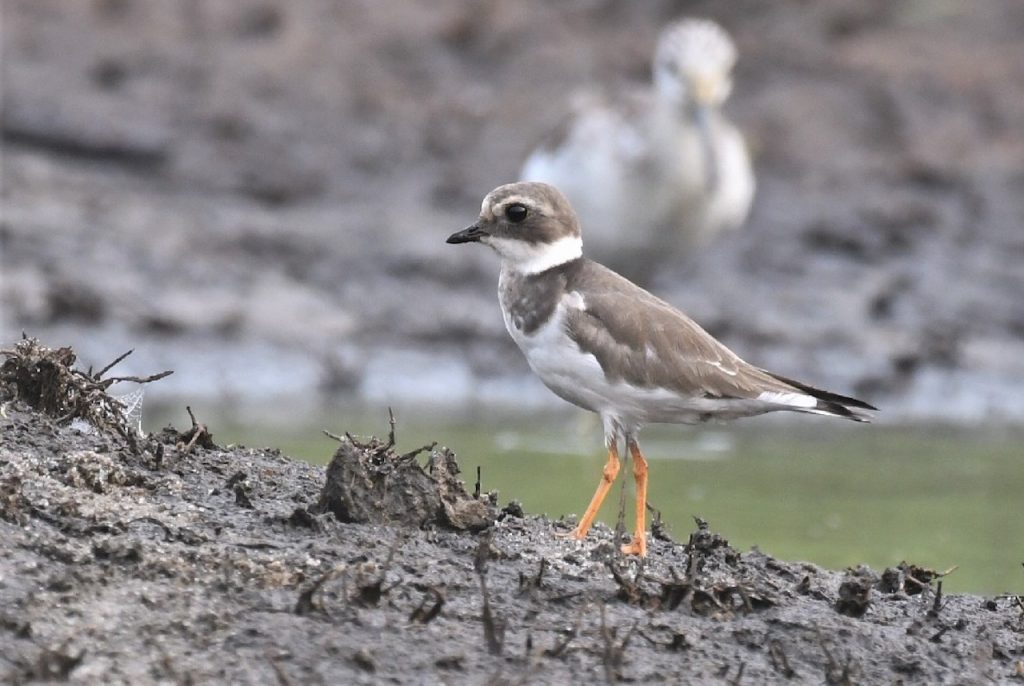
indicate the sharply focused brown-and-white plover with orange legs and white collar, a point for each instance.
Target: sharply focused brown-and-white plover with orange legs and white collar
{"x":608,"y":346}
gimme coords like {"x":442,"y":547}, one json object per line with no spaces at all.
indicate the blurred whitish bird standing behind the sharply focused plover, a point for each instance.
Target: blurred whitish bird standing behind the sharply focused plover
{"x":661,"y":171}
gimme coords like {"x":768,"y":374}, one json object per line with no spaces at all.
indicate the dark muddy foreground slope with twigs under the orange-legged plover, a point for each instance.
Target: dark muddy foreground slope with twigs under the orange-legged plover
{"x":168,"y":559}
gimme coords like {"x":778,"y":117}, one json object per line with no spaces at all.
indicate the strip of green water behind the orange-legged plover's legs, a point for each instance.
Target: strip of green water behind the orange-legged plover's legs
{"x":829,"y":493}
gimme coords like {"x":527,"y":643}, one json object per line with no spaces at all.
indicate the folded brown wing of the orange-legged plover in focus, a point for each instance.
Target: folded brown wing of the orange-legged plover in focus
{"x":643,"y":340}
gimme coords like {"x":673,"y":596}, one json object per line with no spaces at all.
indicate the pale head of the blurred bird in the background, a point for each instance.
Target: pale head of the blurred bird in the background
{"x":694,"y":64}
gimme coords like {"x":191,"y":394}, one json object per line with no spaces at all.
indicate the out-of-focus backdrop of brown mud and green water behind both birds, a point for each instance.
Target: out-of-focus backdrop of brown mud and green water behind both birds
{"x":257,"y":195}
